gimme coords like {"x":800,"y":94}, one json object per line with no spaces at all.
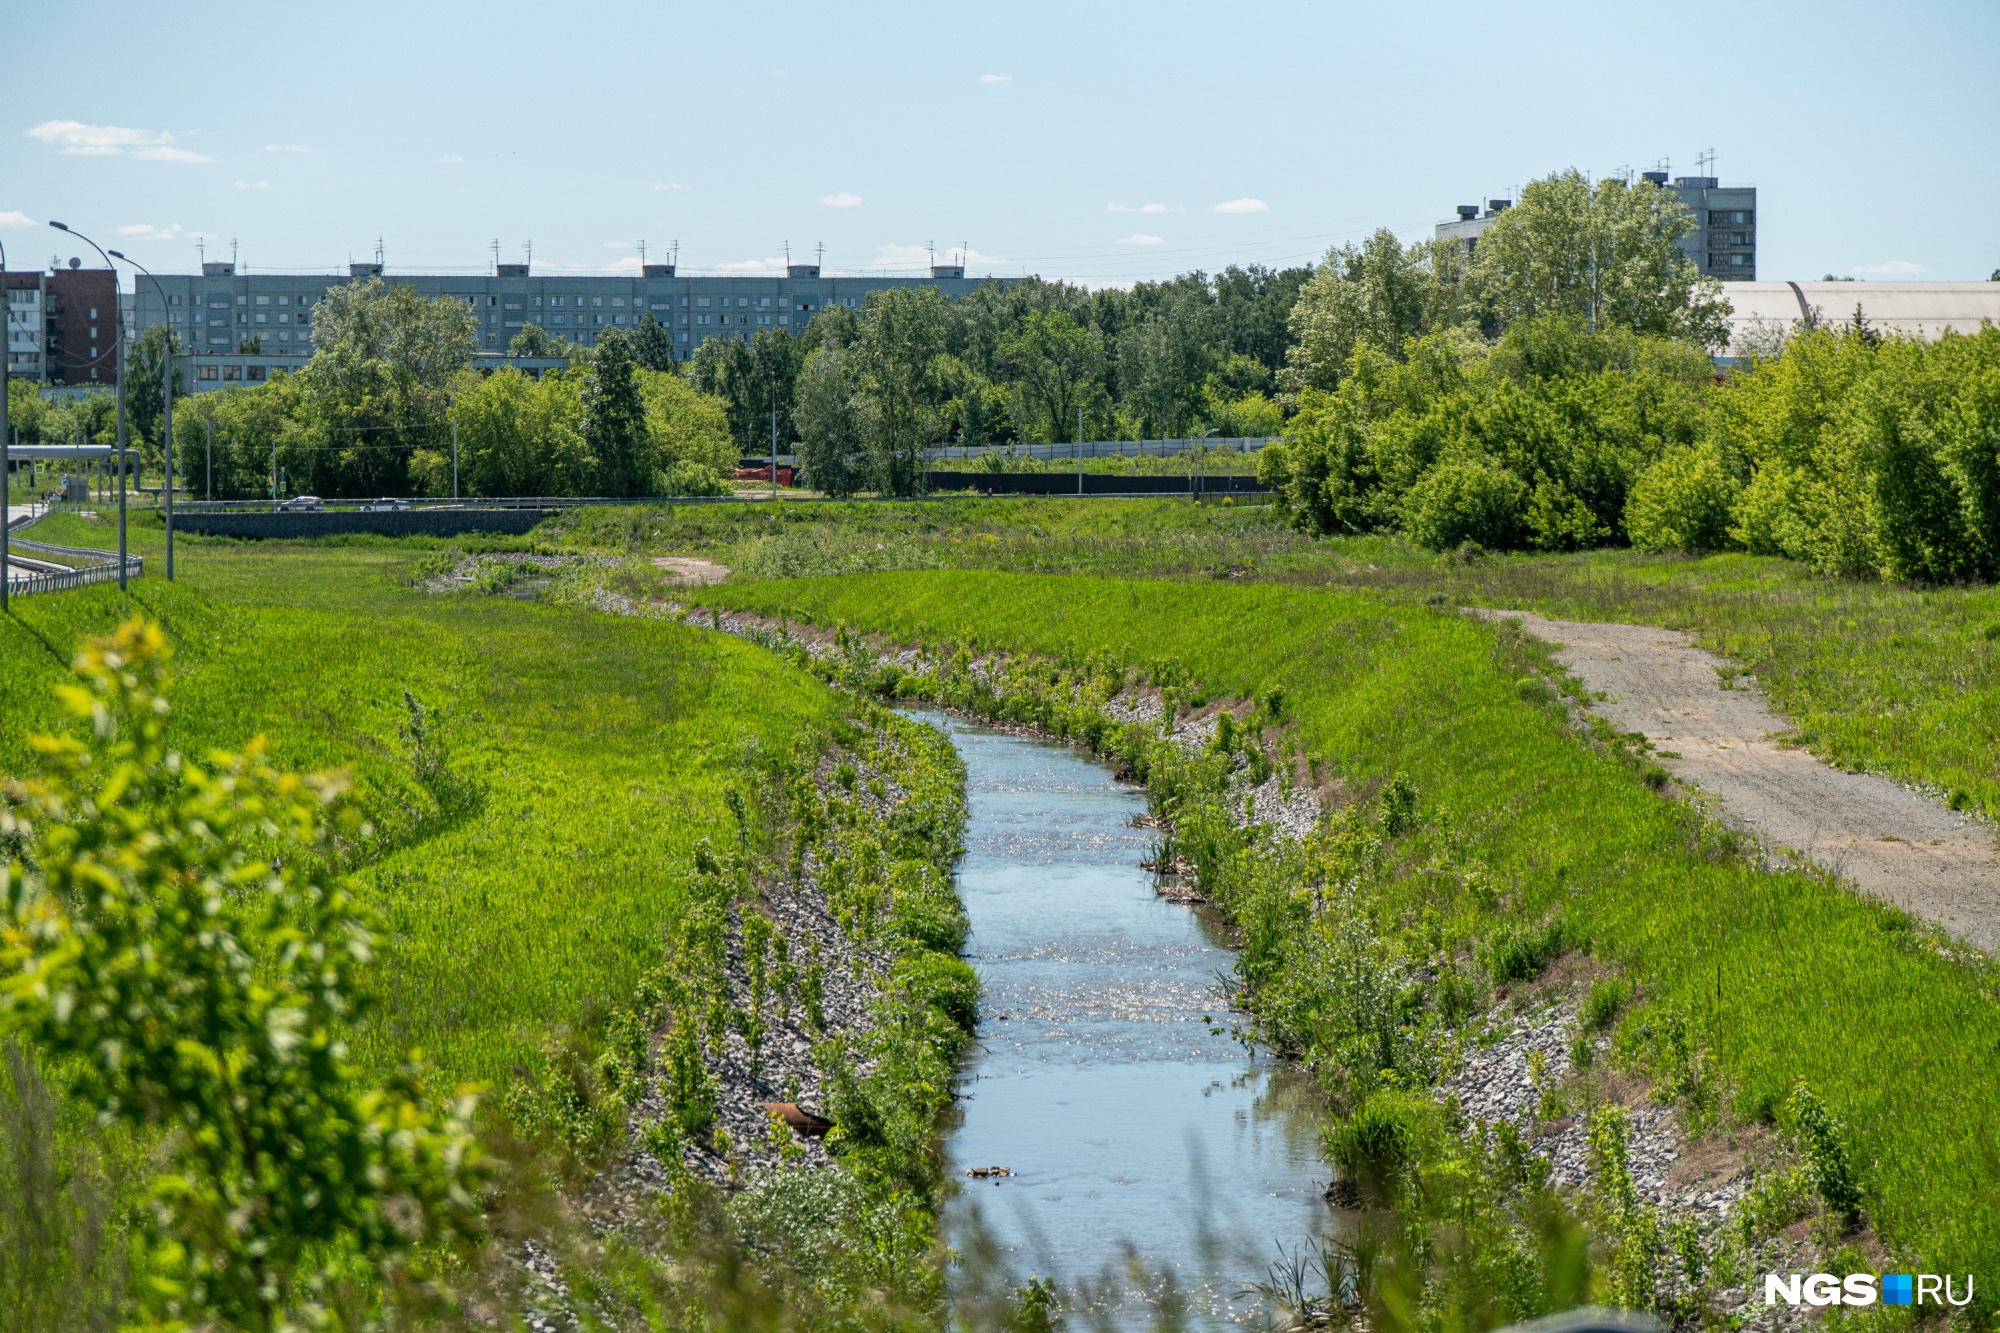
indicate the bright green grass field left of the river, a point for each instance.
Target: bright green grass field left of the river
{"x":605,"y":746}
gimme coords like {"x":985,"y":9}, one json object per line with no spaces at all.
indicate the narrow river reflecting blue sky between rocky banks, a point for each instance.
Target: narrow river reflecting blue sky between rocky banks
{"x":1107,"y":1076}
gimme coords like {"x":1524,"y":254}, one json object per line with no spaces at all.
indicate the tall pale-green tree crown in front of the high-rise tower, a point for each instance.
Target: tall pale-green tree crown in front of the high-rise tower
{"x":1603,"y":255}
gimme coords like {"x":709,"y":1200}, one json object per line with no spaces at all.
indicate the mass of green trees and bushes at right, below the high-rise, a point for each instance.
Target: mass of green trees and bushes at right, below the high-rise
{"x":1555,"y":391}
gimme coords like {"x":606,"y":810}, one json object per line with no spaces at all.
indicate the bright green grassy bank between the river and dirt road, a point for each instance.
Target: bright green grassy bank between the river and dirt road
{"x":1783,"y":976}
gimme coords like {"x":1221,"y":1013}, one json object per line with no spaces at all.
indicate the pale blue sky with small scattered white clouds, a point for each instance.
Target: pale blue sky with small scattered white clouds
{"x":1101,"y":143}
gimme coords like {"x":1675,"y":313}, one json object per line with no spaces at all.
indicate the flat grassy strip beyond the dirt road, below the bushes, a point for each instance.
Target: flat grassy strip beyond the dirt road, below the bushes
{"x":1879,"y":678}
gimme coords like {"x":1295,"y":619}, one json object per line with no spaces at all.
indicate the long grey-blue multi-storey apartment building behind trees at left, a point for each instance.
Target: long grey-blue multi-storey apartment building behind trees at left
{"x":239,"y":323}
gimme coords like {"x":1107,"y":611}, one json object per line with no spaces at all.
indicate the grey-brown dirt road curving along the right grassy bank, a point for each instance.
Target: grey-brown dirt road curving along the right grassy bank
{"x":1717,"y":734}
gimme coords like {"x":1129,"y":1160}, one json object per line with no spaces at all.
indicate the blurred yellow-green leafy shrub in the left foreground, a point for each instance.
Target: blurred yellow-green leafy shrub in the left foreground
{"x":179,"y":936}
